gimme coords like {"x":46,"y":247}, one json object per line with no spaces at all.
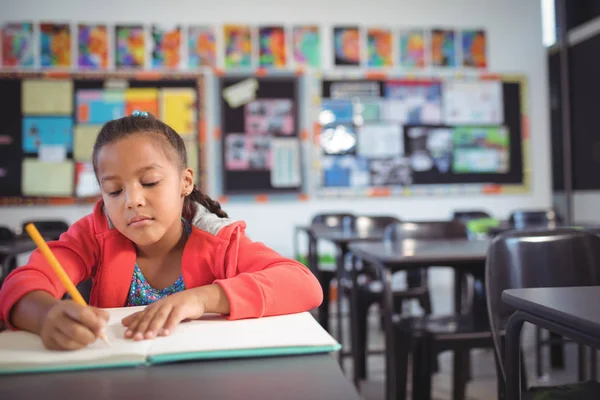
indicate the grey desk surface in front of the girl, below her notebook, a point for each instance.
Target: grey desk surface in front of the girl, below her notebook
{"x":293,"y":378}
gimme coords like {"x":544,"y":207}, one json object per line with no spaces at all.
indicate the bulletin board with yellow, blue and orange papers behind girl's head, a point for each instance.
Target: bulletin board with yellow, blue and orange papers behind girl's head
{"x":52,"y":120}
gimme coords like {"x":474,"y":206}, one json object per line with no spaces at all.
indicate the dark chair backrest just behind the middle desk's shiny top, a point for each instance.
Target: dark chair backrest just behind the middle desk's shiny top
{"x":426,"y":230}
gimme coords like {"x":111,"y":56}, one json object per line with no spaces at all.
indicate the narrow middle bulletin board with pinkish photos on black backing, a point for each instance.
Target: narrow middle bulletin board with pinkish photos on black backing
{"x":260,"y":132}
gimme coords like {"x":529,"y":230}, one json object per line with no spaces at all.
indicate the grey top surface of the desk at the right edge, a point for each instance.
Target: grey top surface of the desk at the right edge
{"x":576,"y":307}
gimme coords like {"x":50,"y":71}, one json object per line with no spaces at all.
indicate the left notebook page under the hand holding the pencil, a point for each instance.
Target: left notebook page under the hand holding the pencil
{"x":21,"y":350}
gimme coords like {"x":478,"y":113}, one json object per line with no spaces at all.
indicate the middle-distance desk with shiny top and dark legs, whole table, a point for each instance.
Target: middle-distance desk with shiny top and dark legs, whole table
{"x":463,"y":255}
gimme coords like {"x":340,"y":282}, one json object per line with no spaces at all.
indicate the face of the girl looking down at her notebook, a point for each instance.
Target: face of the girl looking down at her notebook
{"x":143,"y":189}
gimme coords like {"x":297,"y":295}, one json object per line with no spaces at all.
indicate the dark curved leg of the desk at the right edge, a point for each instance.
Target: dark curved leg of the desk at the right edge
{"x":512,"y":366}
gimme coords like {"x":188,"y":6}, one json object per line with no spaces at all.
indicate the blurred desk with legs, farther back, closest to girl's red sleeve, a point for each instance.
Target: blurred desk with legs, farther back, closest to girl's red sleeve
{"x":341,"y":237}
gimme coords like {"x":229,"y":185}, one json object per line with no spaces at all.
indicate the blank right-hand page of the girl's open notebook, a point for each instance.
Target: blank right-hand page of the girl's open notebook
{"x":214,"y":333}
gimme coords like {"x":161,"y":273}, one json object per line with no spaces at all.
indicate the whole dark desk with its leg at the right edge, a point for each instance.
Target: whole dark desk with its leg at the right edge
{"x":568,"y":311}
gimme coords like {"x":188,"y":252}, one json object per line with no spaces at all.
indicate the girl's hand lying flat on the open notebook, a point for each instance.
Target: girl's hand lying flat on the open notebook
{"x":161,"y":317}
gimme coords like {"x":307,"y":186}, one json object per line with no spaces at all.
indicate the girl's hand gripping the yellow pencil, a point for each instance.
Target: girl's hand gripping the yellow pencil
{"x":70,"y":326}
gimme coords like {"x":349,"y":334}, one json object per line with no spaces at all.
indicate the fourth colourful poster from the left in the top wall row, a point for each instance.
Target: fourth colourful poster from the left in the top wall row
{"x":130,"y":48}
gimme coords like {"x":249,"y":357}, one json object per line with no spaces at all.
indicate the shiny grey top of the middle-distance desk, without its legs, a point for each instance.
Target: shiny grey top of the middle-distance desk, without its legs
{"x":422,"y":252}
